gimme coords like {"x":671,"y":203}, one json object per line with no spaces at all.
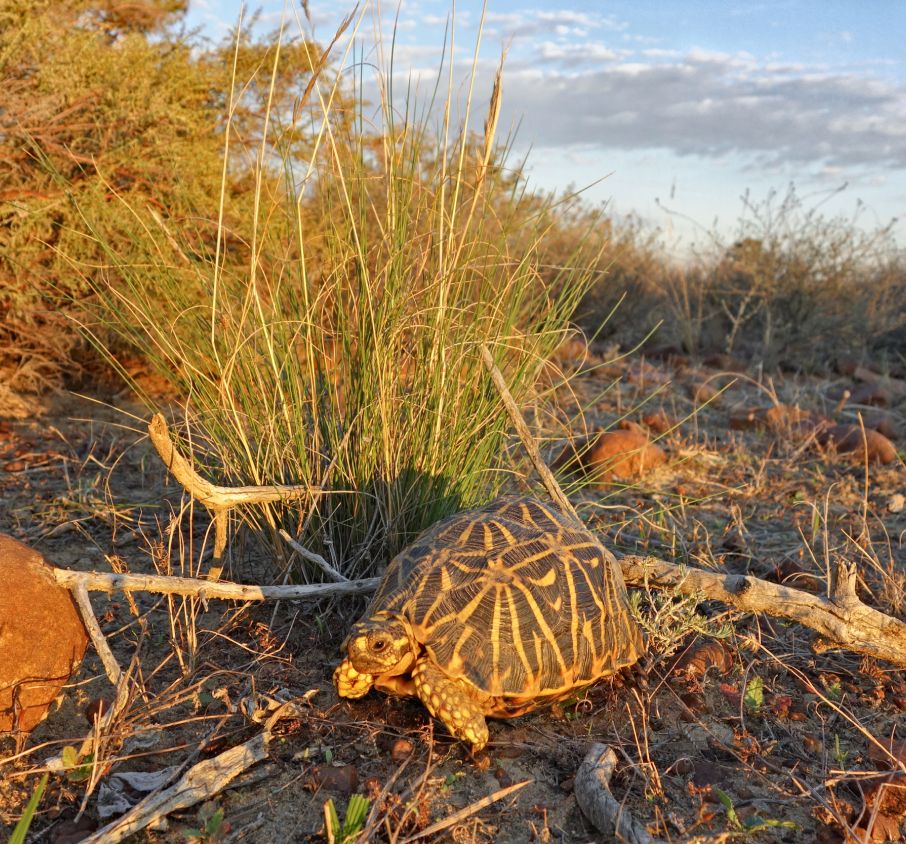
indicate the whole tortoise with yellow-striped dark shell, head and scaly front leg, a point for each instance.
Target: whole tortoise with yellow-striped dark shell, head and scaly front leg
{"x":494,"y":611}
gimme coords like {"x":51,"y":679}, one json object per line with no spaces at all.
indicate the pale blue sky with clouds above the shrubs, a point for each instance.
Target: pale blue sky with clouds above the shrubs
{"x":683,"y":106}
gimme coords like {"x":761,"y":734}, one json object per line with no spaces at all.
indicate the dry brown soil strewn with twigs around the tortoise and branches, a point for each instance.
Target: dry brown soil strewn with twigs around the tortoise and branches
{"x":731,"y":727}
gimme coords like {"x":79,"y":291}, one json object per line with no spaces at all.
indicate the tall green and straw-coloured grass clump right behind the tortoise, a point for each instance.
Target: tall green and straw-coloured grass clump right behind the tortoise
{"x":344,"y":356}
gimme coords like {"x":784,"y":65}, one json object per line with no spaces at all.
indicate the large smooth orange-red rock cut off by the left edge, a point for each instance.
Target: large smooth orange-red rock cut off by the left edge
{"x":42,"y":638}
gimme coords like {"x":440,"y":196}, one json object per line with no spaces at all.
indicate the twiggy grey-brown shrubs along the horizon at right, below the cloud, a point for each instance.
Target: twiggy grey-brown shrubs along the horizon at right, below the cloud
{"x":790,"y":288}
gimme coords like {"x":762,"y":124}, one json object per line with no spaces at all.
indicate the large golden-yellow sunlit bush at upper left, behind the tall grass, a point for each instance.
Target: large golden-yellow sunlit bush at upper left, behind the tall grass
{"x":106,"y":106}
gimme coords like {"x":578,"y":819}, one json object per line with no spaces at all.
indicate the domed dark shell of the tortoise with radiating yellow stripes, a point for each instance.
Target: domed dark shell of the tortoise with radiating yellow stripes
{"x":517,"y":598}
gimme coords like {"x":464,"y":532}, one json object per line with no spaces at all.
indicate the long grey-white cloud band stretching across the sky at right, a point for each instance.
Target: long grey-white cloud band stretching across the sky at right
{"x":710,"y":104}
